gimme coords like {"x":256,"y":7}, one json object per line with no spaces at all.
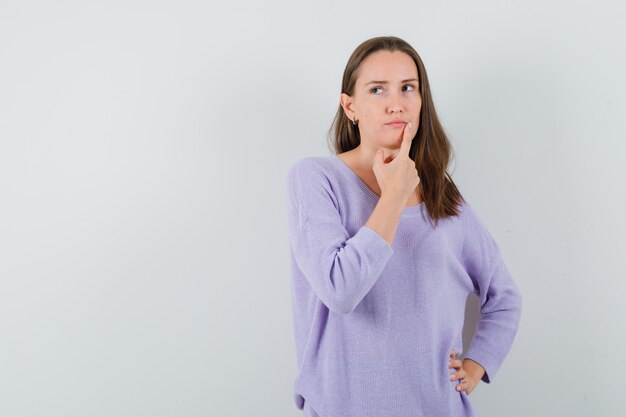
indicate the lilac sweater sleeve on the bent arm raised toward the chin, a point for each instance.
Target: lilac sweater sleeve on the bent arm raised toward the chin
{"x":340,"y":268}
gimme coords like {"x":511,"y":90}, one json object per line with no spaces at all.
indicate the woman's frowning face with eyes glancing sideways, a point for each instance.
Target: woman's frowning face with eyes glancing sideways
{"x":387,"y":89}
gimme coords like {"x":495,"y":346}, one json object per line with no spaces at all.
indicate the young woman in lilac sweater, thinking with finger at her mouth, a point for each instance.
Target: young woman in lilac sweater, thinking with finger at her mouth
{"x":384,"y":252}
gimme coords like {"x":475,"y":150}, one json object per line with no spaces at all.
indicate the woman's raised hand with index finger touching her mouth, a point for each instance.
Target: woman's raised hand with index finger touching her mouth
{"x":397,"y":179}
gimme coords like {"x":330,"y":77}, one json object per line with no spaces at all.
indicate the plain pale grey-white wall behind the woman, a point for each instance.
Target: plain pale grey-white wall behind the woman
{"x":144,"y":265}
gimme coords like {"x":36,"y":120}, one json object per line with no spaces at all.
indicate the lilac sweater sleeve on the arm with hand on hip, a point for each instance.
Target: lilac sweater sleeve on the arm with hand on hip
{"x":500,"y":299}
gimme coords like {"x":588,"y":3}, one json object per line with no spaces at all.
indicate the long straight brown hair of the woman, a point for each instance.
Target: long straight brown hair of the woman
{"x":431,"y":151}
